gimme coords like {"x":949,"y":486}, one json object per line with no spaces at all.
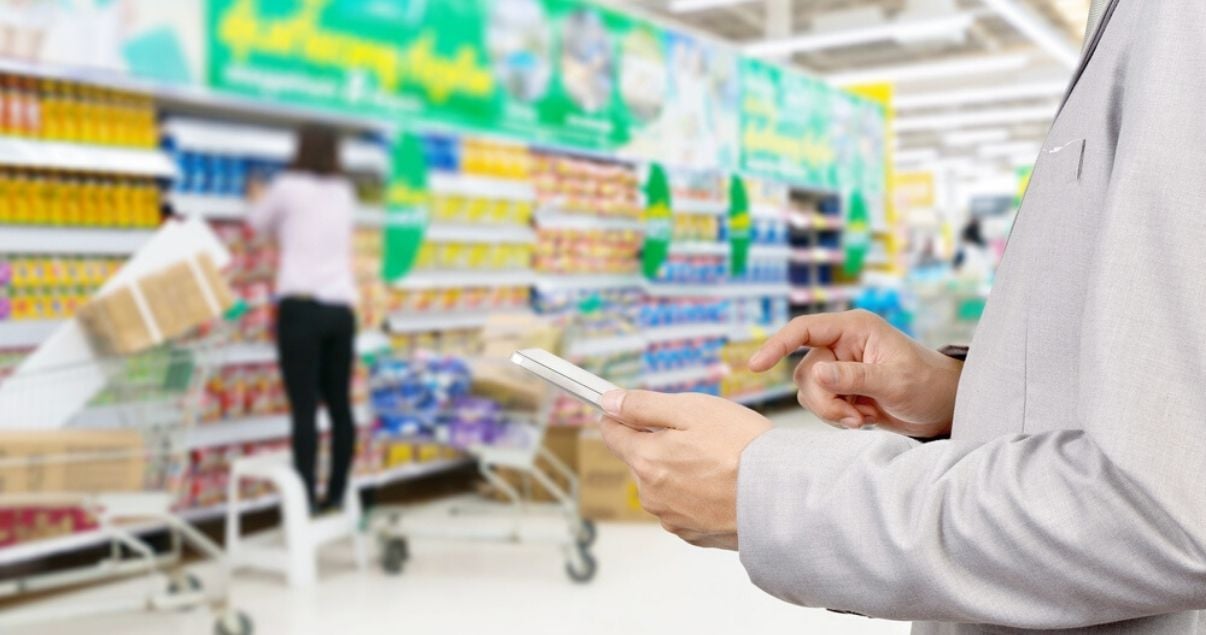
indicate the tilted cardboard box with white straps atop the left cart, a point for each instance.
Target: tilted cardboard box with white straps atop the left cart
{"x":157,"y":307}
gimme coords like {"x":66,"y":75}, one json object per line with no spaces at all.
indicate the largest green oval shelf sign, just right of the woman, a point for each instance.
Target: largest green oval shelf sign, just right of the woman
{"x":406,"y":205}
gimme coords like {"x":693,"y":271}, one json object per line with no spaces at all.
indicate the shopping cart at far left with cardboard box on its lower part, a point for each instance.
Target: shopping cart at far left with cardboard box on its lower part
{"x":131,"y":484}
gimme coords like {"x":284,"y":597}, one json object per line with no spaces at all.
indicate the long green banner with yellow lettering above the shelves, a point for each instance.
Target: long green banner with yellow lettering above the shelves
{"x":564,"y":73}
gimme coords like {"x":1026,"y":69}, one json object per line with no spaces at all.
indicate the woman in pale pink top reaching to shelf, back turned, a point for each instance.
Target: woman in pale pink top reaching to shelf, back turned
{"x":308,"y":209}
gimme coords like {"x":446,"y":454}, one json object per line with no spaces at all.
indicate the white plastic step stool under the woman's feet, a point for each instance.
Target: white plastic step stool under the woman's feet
{"x":298,"y":558}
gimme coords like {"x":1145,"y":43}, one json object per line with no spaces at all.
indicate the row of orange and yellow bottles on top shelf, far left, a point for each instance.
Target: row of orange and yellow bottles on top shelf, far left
{"x":68,"y":111}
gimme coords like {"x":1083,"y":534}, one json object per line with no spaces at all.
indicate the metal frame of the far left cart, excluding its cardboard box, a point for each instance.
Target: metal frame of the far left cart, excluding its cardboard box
{"x":161,"y":408}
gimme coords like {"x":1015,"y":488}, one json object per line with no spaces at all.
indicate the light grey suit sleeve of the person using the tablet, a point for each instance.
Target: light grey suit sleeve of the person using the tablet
{"x":1099,"y":524}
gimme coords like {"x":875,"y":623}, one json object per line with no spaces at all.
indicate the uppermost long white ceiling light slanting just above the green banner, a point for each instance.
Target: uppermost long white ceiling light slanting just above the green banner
{"x":914,"y":30}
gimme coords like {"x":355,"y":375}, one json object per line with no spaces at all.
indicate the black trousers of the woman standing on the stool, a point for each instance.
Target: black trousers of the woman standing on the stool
{"x":315,"y":348}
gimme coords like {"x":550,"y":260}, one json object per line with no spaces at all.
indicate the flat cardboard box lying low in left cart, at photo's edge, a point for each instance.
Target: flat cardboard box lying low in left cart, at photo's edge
{"x":52,"y":462}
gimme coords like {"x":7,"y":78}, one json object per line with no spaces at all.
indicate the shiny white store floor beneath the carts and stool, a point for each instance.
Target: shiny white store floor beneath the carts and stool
{"x":649,"y":583}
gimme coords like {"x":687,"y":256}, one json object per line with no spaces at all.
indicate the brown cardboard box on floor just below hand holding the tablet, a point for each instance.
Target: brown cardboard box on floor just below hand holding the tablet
{"x":607,"y":490}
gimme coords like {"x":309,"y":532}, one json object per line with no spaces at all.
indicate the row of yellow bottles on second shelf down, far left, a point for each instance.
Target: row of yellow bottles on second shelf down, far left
{"x":57,"y":199}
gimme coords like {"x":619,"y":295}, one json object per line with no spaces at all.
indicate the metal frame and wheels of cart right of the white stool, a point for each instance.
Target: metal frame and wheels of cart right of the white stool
{"x":517,"y":519}
